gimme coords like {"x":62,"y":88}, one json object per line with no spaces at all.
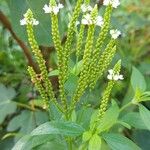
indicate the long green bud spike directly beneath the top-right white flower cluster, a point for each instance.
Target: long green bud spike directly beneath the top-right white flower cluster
{"x":99,"y":43}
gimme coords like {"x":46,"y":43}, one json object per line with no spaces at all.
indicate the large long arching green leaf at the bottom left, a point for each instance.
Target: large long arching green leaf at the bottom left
{"x":50,"y":128}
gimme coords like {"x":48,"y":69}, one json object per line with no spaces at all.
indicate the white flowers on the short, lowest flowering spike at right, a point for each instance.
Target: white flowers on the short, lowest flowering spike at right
{"x":112,"y":76}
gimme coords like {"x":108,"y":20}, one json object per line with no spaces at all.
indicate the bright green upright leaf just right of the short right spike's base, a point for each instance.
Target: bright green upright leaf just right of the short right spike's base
{"x":109,"y":119}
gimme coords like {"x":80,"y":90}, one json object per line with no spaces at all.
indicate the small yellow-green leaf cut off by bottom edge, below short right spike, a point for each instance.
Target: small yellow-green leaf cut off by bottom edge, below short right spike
{"x":95,"y":143}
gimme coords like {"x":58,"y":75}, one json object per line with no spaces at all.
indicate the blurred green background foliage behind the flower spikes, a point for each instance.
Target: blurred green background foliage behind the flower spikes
{"x":20,"y":105}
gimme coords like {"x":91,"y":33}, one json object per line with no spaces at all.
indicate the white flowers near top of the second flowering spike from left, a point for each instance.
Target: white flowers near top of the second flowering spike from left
{"x":54,"y":9}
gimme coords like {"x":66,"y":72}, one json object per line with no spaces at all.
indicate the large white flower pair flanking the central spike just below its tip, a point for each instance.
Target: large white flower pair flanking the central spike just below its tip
{"x":87,"y":20}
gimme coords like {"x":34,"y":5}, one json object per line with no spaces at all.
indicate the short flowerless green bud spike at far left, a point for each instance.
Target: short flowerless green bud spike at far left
{"x":39,"y":87}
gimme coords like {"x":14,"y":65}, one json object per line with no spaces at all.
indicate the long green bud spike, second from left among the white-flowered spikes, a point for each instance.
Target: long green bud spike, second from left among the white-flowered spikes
{"x":60,"y":56}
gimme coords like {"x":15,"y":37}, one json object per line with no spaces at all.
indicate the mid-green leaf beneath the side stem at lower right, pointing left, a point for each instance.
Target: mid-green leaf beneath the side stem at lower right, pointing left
{"x":134,"y":119}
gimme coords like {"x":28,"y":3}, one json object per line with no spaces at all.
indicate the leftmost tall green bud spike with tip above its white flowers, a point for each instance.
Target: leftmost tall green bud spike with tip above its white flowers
{"x":39,"y":58}
